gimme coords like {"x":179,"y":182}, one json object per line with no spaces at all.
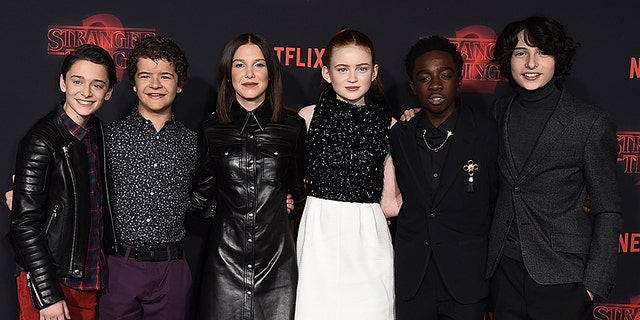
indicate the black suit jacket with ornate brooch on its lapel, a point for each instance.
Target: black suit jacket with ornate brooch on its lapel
{"x":452,"y":226}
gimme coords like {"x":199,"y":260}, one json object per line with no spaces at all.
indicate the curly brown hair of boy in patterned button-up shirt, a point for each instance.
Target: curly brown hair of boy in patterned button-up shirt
{"x":158,"y":48}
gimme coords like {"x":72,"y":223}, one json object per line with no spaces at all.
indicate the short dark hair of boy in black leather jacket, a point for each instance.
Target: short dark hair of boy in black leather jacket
{"x":91,"y":53}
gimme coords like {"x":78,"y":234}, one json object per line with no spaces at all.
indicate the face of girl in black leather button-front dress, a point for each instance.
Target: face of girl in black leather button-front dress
{"x":249,"y":76}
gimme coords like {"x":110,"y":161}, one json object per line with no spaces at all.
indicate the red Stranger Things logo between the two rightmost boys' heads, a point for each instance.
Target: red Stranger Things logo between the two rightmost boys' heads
{"x":479,"y":73}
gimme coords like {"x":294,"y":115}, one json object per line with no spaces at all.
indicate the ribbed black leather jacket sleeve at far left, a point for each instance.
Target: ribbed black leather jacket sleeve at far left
{"x":29,"y":219}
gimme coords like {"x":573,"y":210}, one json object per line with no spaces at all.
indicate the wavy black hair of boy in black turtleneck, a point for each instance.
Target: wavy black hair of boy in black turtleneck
{"x":541,"y":32}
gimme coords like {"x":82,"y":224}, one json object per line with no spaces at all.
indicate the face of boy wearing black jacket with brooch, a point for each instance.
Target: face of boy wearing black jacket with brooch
{"x":435,"y":82}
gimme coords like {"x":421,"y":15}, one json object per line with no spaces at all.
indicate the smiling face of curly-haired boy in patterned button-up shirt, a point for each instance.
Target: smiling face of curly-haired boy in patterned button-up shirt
{"x":156,"y":84}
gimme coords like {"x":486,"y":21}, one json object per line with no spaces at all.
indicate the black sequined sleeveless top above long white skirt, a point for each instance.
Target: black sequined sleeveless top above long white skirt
{"x":346,"y":147}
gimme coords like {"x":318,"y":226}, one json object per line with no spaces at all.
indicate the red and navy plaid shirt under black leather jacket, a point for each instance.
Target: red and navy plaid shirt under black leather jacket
{"x":95,"y":256}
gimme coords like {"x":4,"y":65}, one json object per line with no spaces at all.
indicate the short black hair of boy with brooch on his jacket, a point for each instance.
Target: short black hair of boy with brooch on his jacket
{"x":432,"y":43}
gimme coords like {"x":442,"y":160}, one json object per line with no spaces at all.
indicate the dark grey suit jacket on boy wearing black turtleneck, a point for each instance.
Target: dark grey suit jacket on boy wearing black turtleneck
{"x":574,"y":155}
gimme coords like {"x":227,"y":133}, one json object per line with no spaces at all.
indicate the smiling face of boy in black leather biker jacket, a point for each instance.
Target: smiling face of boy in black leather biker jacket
{"x":86,"y":87}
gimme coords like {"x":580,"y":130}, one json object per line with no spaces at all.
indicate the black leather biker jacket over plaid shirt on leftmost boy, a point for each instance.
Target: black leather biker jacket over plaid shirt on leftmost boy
{"x":50,"y":221}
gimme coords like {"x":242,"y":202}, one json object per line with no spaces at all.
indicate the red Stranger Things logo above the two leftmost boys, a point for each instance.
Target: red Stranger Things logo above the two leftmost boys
{"x":104,"y":30}
